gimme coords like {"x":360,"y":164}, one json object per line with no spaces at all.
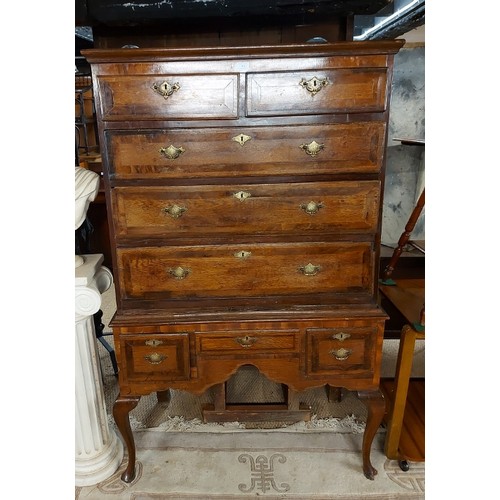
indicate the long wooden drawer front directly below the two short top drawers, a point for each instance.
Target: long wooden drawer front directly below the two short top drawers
{"x":258,"y":151}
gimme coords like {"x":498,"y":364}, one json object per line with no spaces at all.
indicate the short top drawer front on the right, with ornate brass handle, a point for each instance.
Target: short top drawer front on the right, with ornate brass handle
{"x":319,"y":91}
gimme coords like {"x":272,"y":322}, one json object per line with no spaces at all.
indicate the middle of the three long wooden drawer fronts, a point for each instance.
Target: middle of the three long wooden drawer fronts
{"x":163,"y":212}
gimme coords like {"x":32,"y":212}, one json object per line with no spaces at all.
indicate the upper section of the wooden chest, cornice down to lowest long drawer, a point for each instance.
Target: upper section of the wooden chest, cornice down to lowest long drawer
{"x":248,"y":175}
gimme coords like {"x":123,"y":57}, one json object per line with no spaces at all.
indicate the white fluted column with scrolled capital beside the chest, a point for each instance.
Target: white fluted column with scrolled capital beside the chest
{"x":98,"y":450}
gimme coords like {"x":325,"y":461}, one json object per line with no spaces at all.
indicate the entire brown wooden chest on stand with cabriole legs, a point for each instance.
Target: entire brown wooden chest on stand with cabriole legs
{"x":244,"y":189}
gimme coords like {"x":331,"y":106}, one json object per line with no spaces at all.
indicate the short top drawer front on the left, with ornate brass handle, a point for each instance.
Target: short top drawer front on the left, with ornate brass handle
{"x":168,"y":97}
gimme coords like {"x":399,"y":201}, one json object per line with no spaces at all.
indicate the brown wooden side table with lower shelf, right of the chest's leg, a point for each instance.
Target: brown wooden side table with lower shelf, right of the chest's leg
{"x":405,"y":439}
